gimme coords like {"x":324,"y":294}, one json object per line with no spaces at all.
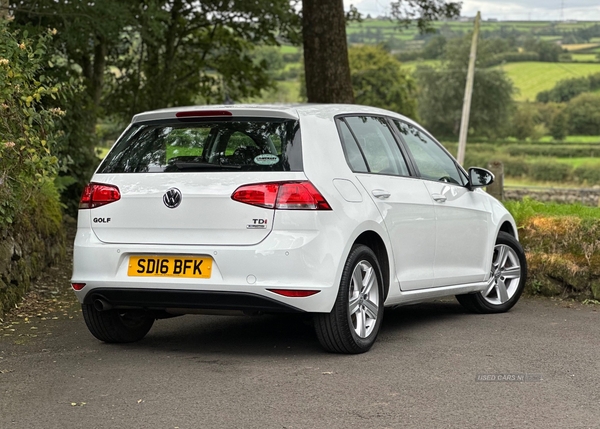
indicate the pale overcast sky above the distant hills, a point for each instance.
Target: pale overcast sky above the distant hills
{"x":522,"y":10}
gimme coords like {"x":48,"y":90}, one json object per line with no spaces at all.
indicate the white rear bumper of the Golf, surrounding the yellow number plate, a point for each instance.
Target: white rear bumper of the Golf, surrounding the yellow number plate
{"x":241,"y":276}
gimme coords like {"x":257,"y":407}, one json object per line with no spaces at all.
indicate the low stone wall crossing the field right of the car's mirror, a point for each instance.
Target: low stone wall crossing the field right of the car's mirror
{"x":585,"y":196}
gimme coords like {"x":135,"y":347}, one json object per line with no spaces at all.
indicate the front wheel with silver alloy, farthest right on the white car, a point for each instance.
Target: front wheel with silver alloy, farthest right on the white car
{"x":508,"y":275}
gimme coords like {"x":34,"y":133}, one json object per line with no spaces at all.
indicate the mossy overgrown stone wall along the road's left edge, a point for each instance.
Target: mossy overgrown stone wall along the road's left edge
{"x":23,"y":256}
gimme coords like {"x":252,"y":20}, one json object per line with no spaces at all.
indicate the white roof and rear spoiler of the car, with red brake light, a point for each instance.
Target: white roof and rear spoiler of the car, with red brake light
{"x":291,"y":111}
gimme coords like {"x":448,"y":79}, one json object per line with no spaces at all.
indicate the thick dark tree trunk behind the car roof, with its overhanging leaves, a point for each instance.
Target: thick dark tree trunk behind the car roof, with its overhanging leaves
{"x":325,"y":50}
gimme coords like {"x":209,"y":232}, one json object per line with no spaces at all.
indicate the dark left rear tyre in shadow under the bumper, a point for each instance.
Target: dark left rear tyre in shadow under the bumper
{"x":117,"y":326}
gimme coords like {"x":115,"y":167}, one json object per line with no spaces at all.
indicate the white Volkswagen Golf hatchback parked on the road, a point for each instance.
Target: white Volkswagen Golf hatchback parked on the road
{"x":334,"y":210}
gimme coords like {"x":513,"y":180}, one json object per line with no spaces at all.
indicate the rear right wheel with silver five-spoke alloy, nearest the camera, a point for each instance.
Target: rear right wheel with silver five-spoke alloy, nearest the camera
{"x":353,"y":324}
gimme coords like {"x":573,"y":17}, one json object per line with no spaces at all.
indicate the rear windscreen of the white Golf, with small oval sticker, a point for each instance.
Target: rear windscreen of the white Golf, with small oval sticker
{"x":207,"y":145}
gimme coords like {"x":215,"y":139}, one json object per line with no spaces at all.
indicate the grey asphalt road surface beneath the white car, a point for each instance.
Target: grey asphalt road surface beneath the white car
{"x":269,"y":372}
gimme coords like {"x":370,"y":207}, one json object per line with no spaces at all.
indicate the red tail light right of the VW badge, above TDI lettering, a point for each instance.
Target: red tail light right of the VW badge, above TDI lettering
{"x":282,"y":196}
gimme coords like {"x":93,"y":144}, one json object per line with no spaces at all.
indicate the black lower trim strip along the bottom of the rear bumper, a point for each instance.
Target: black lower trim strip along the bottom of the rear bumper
{"x":163,"y":299}
